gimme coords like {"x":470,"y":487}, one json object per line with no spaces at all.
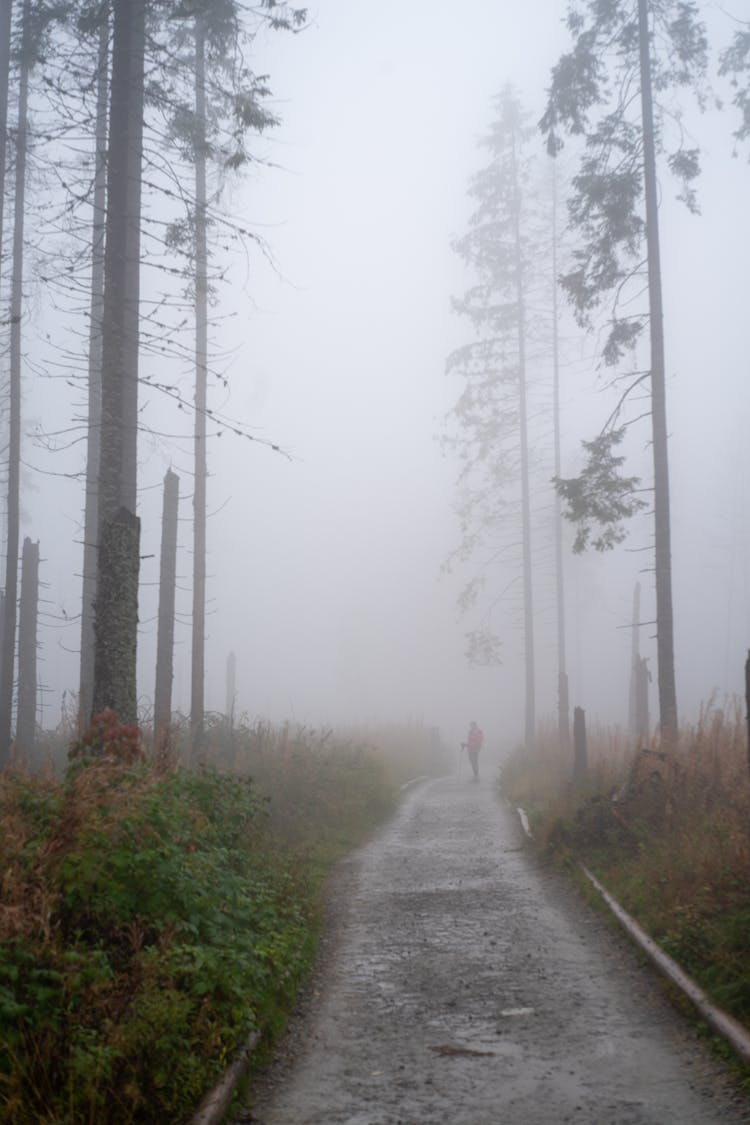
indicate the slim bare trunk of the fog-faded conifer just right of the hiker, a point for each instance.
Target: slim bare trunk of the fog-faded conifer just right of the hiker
{"x":530,"y":721}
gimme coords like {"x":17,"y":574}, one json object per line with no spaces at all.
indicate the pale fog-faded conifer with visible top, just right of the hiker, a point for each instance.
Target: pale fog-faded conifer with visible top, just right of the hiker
{"x":492,"y":413}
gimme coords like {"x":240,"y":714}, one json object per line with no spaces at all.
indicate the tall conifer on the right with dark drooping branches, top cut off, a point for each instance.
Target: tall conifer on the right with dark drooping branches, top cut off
{"x":624,"y":51}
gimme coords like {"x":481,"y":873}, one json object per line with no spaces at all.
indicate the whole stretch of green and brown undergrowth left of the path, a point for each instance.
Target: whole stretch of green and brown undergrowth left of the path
{"x":153,"y":915}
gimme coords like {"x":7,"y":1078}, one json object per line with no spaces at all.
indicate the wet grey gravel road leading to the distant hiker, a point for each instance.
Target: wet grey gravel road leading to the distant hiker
{"x":464,"y":984}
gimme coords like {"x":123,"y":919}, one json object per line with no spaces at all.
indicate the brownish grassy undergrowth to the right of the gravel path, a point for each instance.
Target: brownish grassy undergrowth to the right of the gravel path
{"x":667,"y":832}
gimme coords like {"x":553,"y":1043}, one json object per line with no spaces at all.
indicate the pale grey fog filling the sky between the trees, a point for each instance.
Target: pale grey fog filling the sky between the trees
{"x":327,"y":560}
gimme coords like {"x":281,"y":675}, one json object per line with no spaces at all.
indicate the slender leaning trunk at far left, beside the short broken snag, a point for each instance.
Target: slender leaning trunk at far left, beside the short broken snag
{"x":15,"y":406}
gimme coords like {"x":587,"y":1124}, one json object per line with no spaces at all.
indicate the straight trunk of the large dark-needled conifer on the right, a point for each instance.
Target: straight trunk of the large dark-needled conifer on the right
{"x":662,"y":524}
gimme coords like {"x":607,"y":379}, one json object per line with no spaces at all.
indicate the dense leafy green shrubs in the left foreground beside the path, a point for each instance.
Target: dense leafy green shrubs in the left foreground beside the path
{"x":168,"y":933}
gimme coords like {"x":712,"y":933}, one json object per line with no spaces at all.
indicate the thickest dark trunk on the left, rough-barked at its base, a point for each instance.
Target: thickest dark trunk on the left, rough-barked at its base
{"x":119,"y":561}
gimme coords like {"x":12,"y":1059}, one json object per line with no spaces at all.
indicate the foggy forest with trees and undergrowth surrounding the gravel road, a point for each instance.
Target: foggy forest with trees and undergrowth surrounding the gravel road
{"x":350,"y":389}
